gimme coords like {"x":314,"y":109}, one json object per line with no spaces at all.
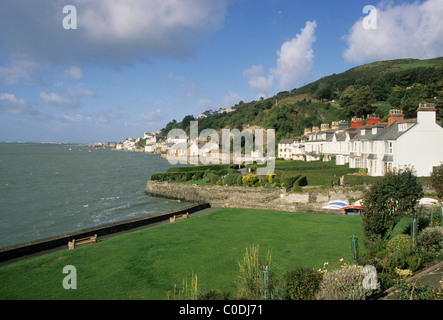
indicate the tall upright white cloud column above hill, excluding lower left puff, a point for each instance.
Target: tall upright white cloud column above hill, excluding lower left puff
{"x":296,"y":58}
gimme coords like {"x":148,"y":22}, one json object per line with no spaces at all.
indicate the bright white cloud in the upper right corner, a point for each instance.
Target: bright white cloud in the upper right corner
{"x":403,"y":31}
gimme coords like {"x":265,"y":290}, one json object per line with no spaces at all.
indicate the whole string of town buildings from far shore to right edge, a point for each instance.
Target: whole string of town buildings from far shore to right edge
{"x":364,"y":143}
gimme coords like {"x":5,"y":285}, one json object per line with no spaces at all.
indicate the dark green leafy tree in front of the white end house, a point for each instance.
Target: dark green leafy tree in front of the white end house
{"x":387,"y":201}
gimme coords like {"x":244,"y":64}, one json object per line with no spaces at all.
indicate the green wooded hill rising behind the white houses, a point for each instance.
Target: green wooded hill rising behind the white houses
{"x":366,"y":89}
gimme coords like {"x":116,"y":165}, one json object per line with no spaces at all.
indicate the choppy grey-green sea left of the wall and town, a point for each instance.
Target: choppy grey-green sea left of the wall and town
{"x":47,"y":189}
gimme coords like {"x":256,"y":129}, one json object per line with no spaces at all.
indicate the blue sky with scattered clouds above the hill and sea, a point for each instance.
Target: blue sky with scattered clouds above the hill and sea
{"x":106,"y":70}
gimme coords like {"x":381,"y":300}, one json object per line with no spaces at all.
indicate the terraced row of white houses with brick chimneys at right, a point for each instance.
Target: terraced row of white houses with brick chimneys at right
{"x":376,"y":146}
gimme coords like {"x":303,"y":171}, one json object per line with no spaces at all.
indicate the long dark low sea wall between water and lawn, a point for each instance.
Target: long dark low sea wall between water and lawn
{"x":32,"y":247}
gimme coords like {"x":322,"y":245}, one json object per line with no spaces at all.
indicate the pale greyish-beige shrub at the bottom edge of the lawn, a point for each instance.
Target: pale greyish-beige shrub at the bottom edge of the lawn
{"x":345,"y":283}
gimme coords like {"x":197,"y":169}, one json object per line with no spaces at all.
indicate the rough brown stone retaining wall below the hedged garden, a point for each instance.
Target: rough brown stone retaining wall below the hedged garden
{"x":254,"y":198}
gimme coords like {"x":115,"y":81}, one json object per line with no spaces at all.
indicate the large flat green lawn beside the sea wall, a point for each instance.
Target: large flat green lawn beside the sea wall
{"x":145,"y":264}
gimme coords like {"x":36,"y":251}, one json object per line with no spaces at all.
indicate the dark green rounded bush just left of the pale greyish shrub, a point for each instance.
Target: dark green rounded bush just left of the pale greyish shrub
{"x":302,"y":283}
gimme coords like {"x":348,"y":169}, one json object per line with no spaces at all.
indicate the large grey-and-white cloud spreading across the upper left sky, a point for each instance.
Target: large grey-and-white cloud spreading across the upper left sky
{"x":113,"y":32}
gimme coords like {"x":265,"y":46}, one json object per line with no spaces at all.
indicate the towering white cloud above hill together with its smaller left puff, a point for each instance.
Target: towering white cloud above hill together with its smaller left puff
{"x":294,"y":64}
